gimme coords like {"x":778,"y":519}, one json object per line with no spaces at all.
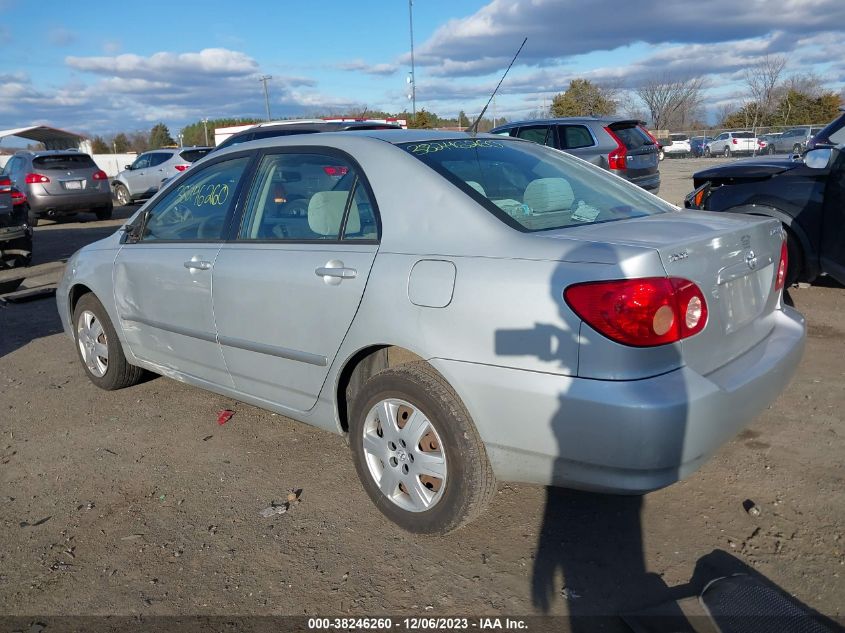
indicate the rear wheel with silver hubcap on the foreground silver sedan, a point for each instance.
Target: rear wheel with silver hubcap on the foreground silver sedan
{"x":417,"y":452}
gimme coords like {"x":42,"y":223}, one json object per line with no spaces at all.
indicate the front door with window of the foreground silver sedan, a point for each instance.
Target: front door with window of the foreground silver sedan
{"x":162,"y":279}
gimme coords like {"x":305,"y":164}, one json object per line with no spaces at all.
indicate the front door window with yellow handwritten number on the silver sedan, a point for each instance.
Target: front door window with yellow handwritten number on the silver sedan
{"x":198,"y":209}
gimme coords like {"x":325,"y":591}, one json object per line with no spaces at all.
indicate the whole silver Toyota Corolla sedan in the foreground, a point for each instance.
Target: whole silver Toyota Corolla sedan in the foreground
{"x":462,"y":308}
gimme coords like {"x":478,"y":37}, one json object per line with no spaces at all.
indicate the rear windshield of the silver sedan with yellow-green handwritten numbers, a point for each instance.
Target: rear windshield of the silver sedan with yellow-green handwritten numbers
{"x":534,"y":188}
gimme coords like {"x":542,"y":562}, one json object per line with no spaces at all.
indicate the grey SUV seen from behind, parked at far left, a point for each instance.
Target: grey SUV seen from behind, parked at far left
{"x":60,"y":182}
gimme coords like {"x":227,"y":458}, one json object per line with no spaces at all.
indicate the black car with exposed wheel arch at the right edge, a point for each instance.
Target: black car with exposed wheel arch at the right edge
{"x":807,"y":196}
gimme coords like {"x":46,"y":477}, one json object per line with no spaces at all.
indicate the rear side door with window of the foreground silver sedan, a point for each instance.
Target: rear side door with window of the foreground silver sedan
{"x":286,"y":290}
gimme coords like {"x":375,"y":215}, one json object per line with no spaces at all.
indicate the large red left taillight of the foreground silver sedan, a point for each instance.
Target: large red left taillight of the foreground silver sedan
{"x":640,"y":312}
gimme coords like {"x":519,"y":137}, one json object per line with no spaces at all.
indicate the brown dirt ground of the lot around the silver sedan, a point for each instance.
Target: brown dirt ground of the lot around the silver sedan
{"x":138,"y":502}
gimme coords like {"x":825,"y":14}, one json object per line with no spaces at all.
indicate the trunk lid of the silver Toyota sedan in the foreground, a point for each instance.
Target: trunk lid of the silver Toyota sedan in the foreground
{"x":732,"y":258}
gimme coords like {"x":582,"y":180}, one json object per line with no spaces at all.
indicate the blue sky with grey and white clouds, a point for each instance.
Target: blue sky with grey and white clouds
{"x":125,"y":66}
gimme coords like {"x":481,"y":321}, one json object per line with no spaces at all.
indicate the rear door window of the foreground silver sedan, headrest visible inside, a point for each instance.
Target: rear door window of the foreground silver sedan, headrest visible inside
{"x":307,"y":197}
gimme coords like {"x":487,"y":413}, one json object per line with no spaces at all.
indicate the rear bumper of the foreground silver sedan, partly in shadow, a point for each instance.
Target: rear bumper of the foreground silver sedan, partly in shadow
{"x":622,"y":436}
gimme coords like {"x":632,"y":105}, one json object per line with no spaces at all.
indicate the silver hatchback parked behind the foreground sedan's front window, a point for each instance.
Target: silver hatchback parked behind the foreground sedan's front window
{"x":144,"y":176}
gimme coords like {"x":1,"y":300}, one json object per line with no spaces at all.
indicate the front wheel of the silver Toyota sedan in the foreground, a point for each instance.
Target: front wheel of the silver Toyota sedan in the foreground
{"x":99,"y":349}
